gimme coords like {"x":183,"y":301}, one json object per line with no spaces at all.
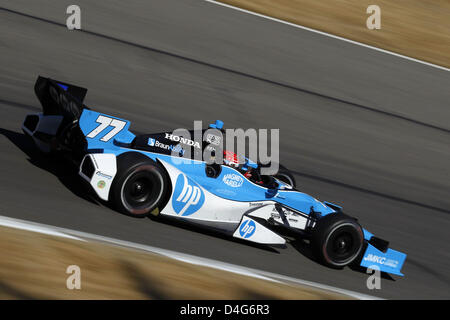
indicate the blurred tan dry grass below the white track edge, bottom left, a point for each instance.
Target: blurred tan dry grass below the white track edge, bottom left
{"x":33,"y":266}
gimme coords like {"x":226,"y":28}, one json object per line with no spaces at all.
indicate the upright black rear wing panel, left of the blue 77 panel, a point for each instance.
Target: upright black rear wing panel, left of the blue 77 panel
{"x":60,"y":98}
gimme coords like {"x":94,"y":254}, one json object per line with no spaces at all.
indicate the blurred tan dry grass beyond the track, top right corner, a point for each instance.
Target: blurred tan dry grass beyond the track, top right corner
{"x":415,"y":28}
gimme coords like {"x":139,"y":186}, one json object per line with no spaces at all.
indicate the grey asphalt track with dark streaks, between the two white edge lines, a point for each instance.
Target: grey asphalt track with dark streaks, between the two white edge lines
{"x":361,"y":128}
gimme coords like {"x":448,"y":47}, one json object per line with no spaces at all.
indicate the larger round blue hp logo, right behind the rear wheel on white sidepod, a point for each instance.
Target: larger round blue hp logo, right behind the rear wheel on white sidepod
{"x":187,"y":197}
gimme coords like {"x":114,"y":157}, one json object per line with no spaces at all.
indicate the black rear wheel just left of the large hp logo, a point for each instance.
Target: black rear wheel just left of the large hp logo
{"x":140,"y":186}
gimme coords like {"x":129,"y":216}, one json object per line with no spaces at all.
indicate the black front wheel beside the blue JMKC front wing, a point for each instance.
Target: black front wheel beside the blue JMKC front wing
{"x":337,"y":240}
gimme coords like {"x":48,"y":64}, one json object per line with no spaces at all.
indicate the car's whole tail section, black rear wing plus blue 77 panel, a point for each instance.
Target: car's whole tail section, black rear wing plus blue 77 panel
{"x":65,"y":114}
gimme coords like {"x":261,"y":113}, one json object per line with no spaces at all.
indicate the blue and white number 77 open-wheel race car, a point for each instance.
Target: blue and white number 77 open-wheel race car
{"x":150,"y":174}
